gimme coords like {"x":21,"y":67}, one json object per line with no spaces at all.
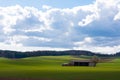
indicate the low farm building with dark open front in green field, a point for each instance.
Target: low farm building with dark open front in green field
{"x":80,"y":63}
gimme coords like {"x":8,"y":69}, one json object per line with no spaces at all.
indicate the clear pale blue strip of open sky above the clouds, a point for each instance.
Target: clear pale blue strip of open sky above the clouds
{"x":53,"y":3}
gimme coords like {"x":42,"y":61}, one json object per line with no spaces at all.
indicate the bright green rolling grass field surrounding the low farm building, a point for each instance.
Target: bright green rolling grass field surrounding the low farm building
{"x":49,"y":68}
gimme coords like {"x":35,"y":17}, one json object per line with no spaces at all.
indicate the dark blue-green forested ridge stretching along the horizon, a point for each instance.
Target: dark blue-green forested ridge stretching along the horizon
{"x":16,"y":54}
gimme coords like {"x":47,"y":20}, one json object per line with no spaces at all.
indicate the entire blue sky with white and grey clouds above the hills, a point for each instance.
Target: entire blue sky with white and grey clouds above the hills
{"x":27,"y":25}
